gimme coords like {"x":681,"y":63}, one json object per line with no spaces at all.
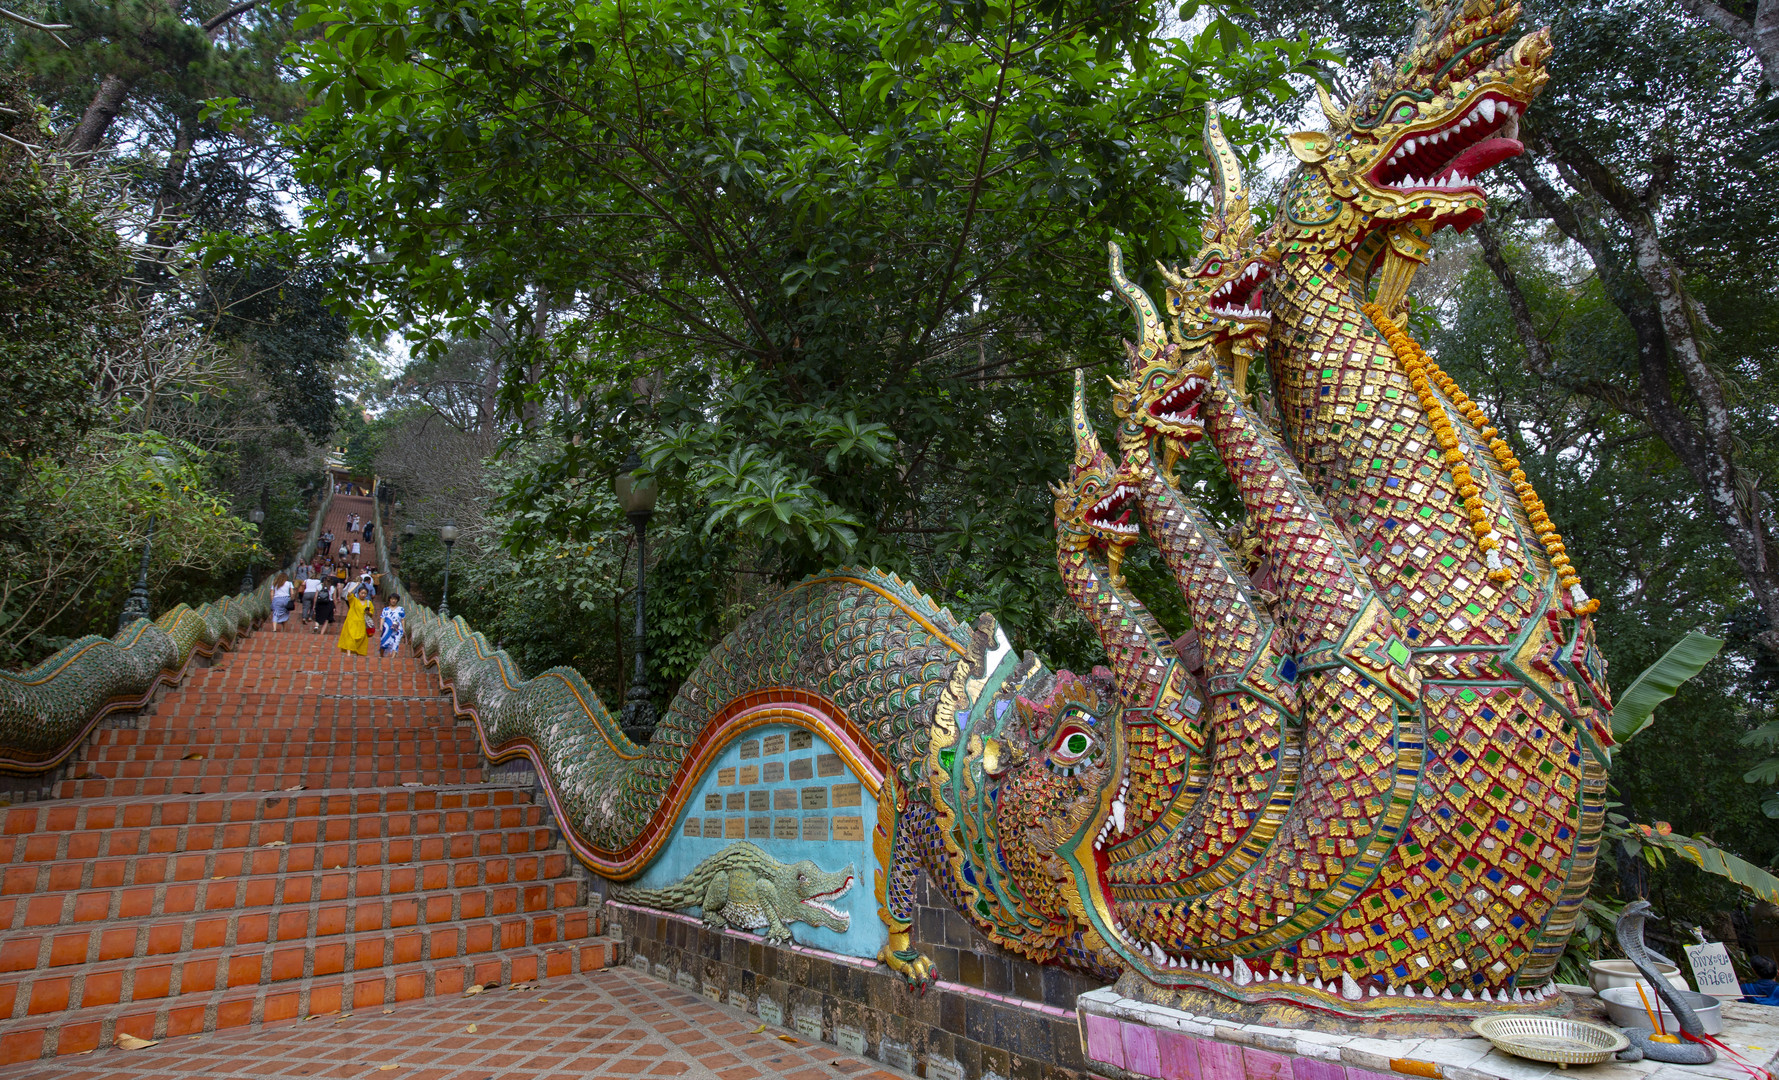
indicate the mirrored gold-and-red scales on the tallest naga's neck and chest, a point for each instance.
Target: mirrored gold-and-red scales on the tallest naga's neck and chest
{"x":1501,"y":810}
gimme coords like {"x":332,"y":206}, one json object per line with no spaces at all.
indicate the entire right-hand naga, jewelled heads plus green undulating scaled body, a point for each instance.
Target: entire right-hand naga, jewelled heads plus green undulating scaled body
{"x":1367,"y":782}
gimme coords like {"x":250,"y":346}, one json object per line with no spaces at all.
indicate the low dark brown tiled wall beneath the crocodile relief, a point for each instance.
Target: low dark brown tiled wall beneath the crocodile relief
{"x":942,"y":1036}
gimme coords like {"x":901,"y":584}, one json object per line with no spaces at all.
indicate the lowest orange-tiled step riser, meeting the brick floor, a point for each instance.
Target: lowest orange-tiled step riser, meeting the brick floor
{"x":58,"y":1035}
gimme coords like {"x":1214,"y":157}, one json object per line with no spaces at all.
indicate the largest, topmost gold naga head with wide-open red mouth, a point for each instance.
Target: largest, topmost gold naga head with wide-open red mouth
{"x":1405,"y":159}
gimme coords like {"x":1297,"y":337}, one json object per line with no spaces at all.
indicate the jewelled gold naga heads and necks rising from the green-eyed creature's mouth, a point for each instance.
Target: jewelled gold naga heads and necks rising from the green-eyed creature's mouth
{"x":1396,"y":789}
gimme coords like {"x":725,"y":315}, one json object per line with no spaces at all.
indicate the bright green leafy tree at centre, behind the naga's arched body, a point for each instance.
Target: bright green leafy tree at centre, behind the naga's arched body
{"x":828,"y":264}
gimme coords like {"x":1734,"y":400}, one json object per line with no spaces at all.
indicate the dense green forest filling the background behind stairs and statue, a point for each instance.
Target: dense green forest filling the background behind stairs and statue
{"x":828,"y":268}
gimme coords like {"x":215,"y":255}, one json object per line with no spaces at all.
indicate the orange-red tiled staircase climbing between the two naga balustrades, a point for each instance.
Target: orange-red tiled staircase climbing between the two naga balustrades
{"x":294,"y":832}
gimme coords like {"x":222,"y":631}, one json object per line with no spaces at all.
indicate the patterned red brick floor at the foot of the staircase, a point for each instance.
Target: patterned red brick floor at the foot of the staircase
{"x":608,"y":1024}
